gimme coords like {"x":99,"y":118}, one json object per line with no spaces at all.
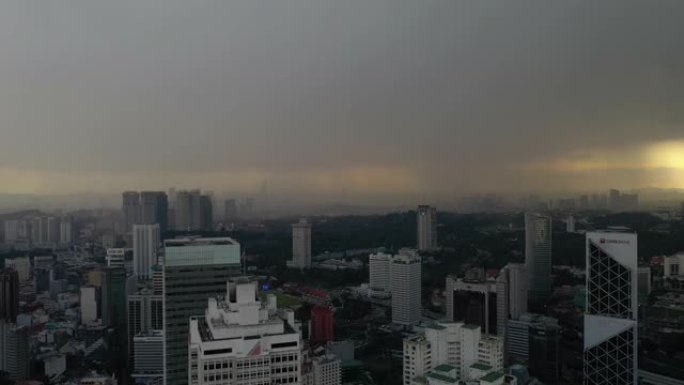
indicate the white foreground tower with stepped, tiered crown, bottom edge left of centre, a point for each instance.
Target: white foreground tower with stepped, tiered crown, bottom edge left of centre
{"x":241,"y":340}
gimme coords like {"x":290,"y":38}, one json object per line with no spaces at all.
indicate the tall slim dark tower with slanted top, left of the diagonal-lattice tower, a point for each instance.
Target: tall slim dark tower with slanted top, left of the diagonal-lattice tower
{"x":538,"y":255}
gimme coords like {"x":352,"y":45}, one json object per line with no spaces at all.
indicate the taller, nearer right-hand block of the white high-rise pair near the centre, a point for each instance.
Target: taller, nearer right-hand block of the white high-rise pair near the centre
{"x":405,"y":285}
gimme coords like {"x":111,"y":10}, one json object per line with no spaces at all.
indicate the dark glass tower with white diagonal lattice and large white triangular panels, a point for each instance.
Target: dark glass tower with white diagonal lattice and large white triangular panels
{"x":610,"y":319}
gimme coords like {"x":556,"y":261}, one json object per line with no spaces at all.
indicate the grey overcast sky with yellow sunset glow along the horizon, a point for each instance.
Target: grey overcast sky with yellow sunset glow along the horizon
{"x":341,"y":97}
